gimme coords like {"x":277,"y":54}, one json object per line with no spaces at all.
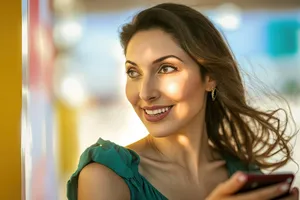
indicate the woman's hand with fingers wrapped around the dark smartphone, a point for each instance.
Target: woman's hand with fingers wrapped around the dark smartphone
{"x":227,"y":190}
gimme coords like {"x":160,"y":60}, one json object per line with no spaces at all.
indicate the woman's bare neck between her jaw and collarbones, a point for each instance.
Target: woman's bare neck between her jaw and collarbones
{"x":189,"y":148}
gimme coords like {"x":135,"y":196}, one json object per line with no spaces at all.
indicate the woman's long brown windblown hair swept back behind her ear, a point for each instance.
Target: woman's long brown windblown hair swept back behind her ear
{"x":234,"y":127}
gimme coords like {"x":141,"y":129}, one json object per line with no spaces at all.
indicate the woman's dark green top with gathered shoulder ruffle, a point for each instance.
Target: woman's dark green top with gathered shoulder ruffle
{"x":124,"y":162}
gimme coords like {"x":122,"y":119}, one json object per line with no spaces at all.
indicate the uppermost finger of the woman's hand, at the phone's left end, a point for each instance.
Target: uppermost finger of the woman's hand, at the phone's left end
{"x":229,"y":187}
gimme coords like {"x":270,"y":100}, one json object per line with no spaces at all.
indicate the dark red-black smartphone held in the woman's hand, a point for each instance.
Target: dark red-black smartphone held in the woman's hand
{"x":257,"y":181}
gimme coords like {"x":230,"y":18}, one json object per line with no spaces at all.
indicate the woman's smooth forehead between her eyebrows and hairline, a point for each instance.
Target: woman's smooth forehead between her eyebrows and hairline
{"x":152,"y":44}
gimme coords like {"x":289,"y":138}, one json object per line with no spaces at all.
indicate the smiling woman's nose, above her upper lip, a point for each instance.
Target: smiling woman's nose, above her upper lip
{"x":149,"y":90}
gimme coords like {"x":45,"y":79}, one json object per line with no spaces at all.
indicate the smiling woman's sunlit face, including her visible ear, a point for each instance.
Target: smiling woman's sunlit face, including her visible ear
{"x":164,"y":84}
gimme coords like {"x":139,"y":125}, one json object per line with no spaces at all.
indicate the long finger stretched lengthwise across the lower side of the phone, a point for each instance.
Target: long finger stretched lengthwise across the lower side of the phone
{"x":265,"y":193}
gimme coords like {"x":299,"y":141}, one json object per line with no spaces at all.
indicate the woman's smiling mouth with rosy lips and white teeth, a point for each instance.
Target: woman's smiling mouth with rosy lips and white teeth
{"x":156,"y":113}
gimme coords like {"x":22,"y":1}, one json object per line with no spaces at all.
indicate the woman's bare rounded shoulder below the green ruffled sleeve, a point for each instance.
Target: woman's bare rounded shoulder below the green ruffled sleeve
{"x":98,"y":182}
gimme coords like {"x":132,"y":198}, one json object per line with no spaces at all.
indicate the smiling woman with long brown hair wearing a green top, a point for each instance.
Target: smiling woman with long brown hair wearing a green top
{"x":185,"y":86}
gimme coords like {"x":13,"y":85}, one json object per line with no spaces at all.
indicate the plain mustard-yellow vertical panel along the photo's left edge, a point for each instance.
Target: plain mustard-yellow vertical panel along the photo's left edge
{"x":10,"y":99}
